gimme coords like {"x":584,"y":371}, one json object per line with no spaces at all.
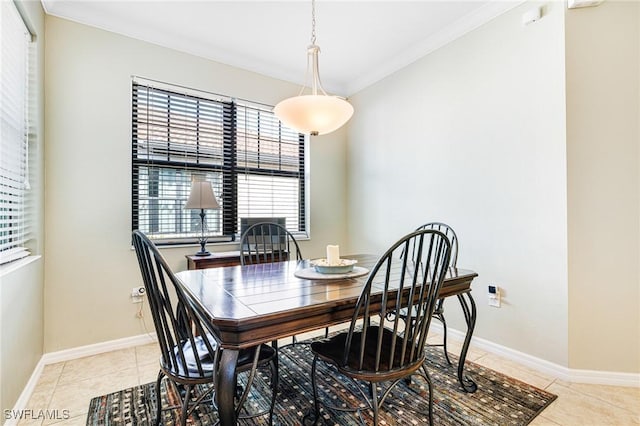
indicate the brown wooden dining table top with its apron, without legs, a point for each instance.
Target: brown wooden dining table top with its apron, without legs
{"x":255,"y":304}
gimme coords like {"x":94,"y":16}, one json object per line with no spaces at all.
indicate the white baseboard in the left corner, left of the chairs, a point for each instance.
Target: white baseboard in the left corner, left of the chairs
{"x":68,"y":355}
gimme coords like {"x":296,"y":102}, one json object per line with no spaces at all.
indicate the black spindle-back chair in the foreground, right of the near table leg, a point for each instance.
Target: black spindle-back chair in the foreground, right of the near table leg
{"x":381,"y":348}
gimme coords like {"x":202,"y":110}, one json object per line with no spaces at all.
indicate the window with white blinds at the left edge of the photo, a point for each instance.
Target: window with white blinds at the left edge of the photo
{"x":14,"y":137}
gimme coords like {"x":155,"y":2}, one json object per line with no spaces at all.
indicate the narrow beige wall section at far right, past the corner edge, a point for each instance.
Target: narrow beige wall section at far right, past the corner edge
{"x":603,"y":139}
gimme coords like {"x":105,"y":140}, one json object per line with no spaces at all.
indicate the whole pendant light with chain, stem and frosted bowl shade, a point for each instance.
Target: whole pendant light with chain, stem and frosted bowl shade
{"x":317,"y":113}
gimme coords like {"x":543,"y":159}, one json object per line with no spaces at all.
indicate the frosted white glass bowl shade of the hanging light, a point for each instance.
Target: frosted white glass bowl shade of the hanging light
{"x":314,"y":114}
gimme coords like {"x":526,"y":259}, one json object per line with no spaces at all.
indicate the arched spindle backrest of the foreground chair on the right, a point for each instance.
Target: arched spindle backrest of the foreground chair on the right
{"x":396,"y":282}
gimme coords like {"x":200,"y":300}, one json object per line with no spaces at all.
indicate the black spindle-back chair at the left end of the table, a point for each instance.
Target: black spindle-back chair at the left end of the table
{"x":189,"y":348}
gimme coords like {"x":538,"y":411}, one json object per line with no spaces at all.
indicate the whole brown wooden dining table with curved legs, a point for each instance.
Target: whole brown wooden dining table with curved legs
{"x":254,"y":304}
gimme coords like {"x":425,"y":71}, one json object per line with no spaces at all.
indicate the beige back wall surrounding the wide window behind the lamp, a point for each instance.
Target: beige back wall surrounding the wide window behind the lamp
{"x":90,"y":266}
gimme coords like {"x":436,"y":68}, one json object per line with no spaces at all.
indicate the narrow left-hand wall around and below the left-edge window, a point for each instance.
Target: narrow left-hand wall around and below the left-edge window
{"x":21,"y":290}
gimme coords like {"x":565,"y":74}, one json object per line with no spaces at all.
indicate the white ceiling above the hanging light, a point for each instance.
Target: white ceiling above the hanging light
{"x":361,"y":41}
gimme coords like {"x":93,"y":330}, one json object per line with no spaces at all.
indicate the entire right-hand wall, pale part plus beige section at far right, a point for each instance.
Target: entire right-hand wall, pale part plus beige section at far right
{"x":547,"y":208}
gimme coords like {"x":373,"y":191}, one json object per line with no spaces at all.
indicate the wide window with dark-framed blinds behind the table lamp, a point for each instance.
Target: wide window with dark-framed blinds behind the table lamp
{"x":255,"y":164}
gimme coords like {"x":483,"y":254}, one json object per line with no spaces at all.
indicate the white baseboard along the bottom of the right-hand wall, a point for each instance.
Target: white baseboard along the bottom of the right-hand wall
{"x":611,"y":378}
